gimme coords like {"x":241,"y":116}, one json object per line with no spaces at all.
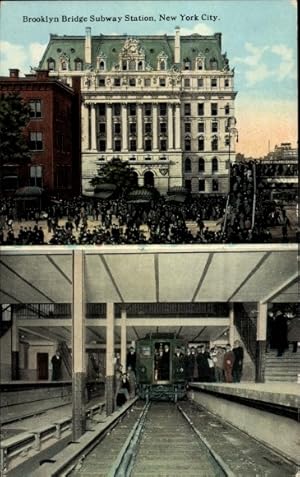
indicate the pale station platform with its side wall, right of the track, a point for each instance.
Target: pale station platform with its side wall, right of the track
{"x":268,"y":412}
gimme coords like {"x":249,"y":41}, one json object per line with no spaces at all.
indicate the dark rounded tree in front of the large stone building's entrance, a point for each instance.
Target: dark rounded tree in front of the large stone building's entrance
{"x":119,"y":173}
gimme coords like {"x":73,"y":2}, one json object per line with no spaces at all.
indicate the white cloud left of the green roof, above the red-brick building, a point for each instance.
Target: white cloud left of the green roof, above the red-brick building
{"x":17,"y":56}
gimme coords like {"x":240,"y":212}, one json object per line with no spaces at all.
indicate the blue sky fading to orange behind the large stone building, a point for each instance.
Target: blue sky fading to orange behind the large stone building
{"x":259,"y":36}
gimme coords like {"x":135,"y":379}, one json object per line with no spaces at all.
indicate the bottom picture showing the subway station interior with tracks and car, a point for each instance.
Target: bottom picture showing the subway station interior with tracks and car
{"x":150,"y":360}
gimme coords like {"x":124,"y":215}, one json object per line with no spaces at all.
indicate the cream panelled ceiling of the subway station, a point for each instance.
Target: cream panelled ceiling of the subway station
{"x":148,"y":274}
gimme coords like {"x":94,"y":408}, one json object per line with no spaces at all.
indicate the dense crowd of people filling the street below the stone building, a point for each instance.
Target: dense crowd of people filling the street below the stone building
{"x":116,"y":221}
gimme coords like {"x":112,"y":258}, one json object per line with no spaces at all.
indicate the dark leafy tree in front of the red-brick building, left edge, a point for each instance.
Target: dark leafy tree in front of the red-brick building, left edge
{"x":14,"y":116}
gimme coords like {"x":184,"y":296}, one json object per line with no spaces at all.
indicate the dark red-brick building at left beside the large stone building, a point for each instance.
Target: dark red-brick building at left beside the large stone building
{"x":52,"y":134}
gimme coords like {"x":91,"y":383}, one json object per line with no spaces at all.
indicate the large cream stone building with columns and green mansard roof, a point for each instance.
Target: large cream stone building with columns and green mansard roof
{"x":163,"y":103}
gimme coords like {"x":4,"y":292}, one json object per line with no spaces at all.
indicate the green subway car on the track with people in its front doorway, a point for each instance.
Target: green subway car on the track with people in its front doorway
{"x":160,"y":367}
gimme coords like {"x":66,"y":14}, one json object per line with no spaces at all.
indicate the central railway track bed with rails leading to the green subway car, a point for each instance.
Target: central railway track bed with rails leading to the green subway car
{"x":165,"y":440}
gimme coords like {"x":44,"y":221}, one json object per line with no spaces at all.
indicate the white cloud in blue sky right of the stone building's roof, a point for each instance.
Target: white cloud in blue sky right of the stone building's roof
{"x":263,"y":62}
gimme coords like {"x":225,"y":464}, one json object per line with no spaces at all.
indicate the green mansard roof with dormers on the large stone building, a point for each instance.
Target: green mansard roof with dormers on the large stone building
{"x":191,"y":47}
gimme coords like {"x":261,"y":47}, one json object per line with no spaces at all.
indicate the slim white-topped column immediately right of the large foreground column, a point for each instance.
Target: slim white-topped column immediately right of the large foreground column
{"x":110,"y":346}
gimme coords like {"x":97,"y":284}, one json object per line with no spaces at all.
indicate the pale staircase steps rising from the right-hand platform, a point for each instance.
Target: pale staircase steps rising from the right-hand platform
{"x":284,"y":368}
